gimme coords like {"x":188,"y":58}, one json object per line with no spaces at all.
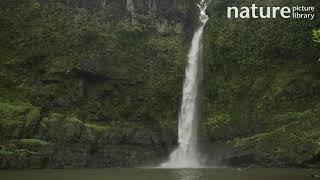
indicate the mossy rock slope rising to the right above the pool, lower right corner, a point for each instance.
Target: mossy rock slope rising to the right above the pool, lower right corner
{"x":295,"y":144}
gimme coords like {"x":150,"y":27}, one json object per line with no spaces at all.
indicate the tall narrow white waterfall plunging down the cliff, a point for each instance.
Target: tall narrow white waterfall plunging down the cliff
{"x":186,"y":156}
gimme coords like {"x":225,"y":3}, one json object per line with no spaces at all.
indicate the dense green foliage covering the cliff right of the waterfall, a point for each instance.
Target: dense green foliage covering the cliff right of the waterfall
{"x":258,"y":70}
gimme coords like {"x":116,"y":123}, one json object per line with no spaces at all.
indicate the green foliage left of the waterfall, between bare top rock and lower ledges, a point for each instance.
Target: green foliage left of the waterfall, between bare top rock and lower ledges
{"x":47,"y":45}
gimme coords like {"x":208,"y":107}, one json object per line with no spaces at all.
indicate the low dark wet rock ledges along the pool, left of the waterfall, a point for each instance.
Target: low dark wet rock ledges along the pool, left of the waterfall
{"x":89,"y":146}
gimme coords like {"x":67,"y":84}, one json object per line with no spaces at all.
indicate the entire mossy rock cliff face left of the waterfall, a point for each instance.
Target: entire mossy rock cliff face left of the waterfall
{"x":90,"y":83}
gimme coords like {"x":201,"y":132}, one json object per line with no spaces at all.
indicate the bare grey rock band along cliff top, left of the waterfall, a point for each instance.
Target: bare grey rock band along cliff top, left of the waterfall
{"x":168,"y":15}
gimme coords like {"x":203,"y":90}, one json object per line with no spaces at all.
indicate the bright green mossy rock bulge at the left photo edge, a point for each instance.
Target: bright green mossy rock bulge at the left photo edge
{"x":18,"y":121}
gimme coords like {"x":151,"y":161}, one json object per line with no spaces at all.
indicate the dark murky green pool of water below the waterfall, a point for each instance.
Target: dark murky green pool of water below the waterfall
{"x":160,"y":174}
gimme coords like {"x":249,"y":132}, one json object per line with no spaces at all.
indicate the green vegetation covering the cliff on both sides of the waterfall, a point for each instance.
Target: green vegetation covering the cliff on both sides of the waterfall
{"x":98,"y":83}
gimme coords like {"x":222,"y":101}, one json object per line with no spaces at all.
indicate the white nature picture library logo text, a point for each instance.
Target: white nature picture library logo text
{"x":295,"y":12}
